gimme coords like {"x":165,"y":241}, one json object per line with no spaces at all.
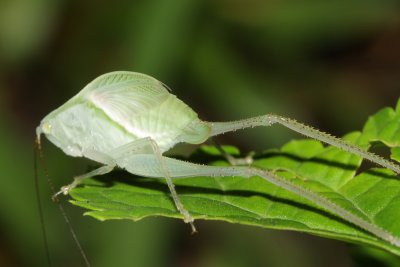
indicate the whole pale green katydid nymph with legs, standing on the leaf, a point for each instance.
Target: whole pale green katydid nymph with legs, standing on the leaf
{"x":128,"y":120}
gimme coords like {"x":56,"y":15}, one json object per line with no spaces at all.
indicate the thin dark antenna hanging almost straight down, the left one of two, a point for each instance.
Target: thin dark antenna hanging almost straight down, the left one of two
{"x":39,"y":204}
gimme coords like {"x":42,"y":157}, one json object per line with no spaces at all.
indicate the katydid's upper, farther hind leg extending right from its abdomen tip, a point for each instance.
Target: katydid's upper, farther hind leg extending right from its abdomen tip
{"x":267,"y":120}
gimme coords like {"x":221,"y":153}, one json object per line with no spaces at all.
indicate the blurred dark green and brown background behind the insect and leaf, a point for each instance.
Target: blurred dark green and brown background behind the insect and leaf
{"x":326,"y":63}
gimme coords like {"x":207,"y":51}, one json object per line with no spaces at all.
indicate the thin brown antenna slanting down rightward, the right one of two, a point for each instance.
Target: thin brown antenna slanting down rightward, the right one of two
{"x":60,"y":206}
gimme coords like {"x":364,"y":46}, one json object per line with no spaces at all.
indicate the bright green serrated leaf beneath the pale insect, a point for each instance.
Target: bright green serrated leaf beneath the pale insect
{"x":372,"y":195}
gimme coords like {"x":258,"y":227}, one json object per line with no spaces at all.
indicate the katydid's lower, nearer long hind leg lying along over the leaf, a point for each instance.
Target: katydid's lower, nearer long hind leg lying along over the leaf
{"x":181,"y":169}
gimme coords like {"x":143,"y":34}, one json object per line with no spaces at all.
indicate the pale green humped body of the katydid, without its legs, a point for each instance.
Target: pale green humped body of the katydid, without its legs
{"x":111,"y":112}
